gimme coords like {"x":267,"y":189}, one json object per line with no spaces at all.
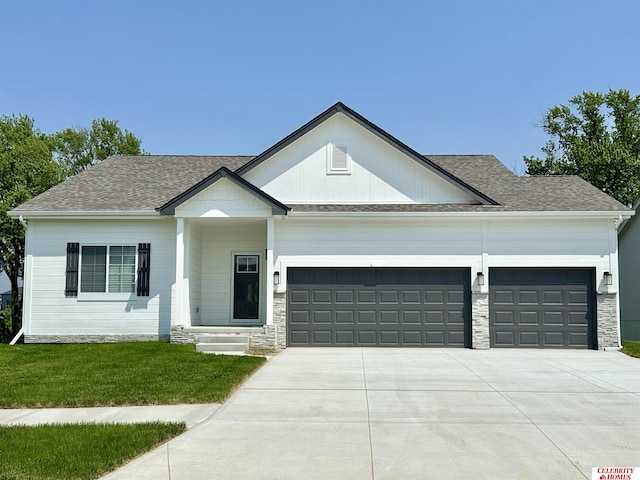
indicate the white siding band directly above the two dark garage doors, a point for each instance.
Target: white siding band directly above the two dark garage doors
{"x":429,"y":242}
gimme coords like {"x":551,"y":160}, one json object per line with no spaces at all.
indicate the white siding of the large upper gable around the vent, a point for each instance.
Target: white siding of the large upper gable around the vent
{"x":379,"y":173}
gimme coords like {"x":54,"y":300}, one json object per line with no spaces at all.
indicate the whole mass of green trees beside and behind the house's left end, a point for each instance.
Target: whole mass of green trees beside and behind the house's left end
{"x":32,"y":162}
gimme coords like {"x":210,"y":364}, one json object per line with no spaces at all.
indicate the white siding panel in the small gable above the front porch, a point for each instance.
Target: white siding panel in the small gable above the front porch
{"x":223,"y":199}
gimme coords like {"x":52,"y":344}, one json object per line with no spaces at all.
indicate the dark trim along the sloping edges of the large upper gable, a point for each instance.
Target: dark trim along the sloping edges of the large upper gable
{"x":340,"y":108}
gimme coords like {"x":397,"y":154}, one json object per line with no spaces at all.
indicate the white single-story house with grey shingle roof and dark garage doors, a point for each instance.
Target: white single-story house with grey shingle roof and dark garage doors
{"x":337,"y":235}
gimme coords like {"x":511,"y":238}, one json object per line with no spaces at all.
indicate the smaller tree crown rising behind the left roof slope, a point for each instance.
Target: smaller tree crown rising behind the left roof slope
{"x":77,"y":149}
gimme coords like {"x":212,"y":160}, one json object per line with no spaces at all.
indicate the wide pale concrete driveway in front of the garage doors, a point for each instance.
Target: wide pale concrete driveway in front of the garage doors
{"x":362,"y":413}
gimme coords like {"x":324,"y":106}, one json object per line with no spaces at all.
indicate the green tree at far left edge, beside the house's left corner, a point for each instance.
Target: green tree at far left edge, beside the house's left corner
{"x":27,"y":169}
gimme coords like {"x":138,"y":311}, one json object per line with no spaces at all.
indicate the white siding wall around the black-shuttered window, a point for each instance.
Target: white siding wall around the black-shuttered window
{"x":51,"y":313}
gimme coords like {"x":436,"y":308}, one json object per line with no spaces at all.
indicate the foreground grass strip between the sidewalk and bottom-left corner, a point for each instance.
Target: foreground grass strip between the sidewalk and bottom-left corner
{"x":76,"y":451}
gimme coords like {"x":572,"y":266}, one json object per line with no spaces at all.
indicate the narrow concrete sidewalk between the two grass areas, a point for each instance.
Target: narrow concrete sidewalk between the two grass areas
{"x":190,"y":414}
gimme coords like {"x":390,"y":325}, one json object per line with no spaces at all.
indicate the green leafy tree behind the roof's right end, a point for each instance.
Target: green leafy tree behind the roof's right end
{"x":596,"y":137}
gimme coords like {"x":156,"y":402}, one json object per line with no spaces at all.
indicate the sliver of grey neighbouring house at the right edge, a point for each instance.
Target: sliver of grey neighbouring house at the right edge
{"x":629,"y":246}
